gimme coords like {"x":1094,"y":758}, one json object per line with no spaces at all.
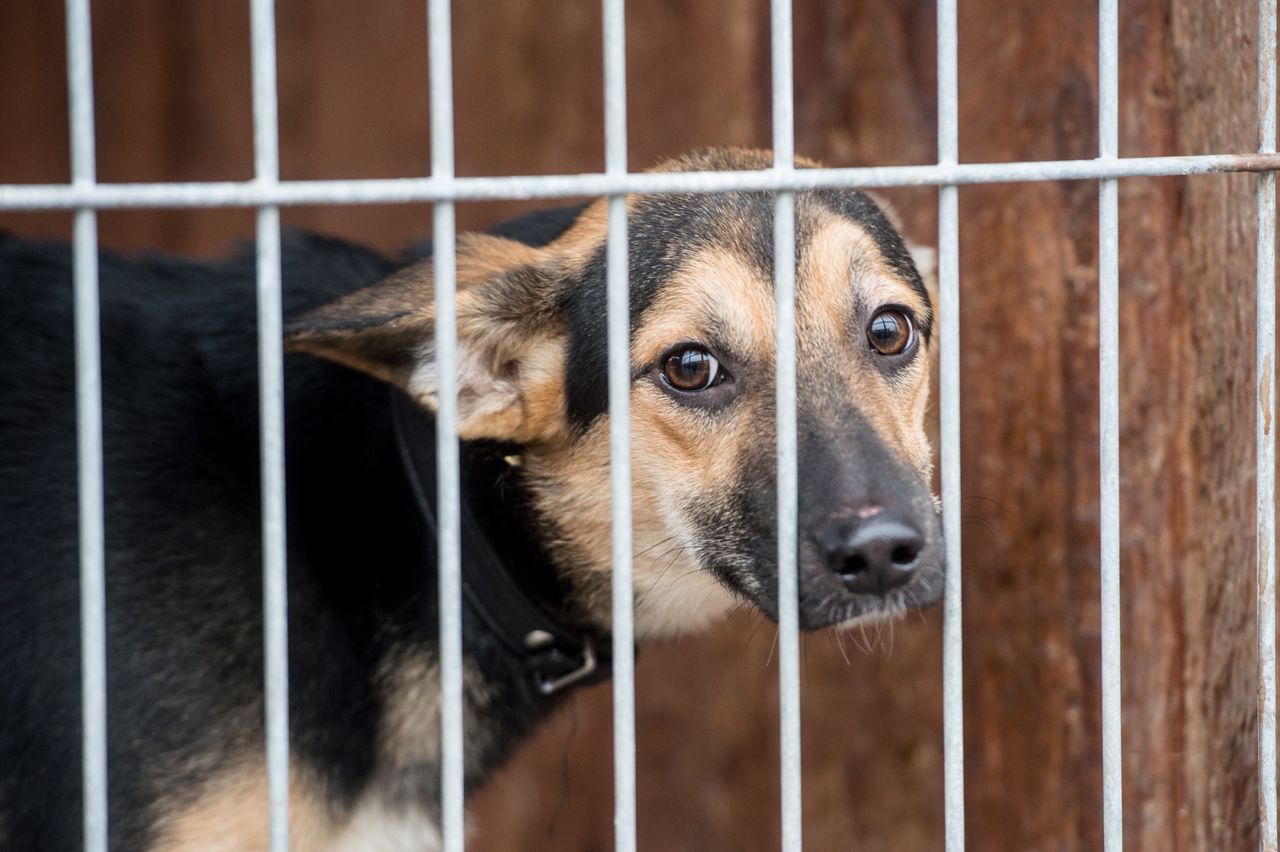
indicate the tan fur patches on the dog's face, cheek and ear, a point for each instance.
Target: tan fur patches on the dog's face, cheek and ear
{"x":511,"y":384}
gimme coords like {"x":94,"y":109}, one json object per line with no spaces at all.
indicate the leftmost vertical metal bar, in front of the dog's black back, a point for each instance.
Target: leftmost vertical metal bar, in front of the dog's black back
{"x":89,"y":430}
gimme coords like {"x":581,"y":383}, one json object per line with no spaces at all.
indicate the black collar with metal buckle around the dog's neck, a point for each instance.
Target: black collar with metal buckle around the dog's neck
{"x":555,"y":656}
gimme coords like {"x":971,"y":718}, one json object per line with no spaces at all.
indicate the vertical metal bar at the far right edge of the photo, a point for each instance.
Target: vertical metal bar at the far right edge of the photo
{"x":1267,"y":439}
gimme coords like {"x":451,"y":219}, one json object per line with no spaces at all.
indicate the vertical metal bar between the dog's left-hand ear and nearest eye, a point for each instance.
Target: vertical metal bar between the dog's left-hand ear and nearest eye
{"x":620,"y":433}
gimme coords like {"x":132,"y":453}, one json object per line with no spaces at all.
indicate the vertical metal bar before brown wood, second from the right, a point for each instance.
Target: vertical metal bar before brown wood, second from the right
{"x":1109,"y":428}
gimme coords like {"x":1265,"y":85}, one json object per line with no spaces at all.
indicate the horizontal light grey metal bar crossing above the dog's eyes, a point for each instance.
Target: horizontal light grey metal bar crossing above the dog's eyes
{"x":427,"y":190}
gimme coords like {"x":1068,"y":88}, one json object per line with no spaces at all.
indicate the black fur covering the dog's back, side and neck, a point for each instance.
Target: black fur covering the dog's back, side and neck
{"x":184,"y":560}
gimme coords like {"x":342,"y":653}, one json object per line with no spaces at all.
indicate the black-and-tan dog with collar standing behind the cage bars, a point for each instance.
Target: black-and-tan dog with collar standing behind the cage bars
{"x":184,"y":555}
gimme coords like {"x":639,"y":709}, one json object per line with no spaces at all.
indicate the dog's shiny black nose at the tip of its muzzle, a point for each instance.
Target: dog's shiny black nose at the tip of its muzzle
{"x":874,"y":553}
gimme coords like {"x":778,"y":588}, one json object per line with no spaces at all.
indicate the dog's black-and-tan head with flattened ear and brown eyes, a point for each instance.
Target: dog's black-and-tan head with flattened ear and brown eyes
{"x":533,"y":372}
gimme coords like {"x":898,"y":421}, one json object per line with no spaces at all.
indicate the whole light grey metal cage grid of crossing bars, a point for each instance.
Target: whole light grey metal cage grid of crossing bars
{"x":267,"y":194}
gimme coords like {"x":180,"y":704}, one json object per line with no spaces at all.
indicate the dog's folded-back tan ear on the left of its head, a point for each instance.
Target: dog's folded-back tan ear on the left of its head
{"x":511,"y":340}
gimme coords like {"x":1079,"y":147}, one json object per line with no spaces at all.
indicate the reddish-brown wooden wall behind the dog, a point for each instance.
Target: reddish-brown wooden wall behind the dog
{"x":173,"y":104}
